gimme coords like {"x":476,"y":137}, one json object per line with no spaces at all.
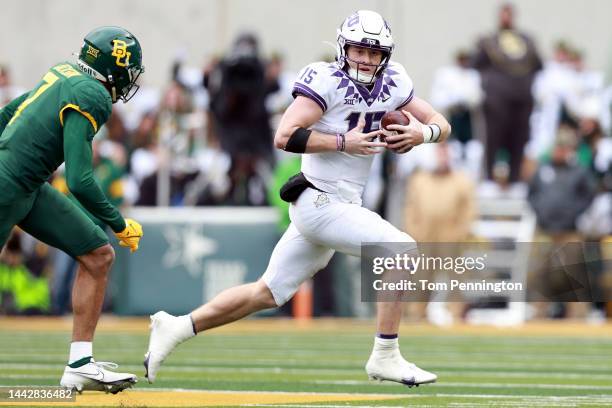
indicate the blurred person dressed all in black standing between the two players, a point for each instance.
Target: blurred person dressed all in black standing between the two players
{"x":238,"y":87}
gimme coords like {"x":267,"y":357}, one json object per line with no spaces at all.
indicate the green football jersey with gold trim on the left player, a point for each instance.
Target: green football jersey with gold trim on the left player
{"x":31,"y":145}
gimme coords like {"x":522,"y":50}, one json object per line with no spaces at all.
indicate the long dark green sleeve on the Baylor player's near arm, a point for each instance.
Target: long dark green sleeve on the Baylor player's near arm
{"x":78,"y":132}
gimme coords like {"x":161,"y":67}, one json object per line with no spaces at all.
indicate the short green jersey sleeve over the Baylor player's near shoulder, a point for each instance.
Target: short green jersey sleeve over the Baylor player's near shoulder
{"x":91,"y":100}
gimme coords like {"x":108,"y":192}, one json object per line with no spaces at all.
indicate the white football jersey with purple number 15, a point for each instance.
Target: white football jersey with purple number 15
{"x":344,"y":102}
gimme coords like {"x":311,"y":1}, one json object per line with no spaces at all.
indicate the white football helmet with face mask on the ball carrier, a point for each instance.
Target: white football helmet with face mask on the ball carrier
{"x":364,"y":28}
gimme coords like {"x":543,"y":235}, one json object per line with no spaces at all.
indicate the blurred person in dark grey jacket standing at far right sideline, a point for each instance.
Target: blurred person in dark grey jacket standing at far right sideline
{"x":560,"y":191}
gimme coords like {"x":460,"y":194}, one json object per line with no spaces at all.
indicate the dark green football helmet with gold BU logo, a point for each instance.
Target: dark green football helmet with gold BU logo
{"x":113,"y":56}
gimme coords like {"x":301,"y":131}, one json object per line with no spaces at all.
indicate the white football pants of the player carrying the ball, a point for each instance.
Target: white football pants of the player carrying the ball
{"x":322,"y":223}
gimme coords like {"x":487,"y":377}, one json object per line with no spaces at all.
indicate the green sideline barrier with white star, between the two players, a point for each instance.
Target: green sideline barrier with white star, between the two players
{"x":188,"y":255}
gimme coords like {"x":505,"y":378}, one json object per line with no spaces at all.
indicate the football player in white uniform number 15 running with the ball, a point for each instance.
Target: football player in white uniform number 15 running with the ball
{"x":334,"y":121}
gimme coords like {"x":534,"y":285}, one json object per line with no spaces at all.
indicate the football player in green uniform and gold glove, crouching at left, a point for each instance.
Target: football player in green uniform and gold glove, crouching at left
{"x":54,"y":123}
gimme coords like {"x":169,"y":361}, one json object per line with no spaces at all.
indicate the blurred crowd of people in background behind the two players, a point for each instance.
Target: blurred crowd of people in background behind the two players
{"x":523,"y":128}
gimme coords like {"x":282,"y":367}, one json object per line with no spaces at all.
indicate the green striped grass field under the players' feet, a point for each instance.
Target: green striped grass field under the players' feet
{"x":321,"y":364}
